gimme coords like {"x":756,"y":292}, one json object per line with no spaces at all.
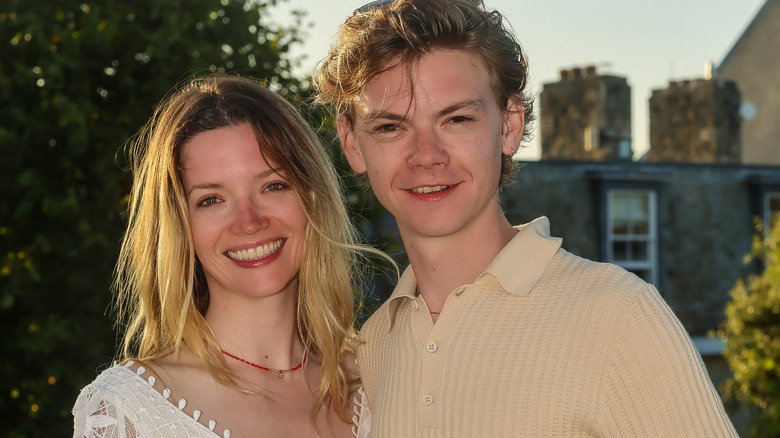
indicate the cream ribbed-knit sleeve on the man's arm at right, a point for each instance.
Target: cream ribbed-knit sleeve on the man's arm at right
{"x":656,"y":383}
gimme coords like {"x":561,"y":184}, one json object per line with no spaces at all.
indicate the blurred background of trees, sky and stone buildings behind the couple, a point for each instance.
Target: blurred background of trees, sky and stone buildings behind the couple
{"x":79,"y":78}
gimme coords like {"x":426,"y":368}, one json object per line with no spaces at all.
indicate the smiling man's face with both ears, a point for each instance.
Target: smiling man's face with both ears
{"x":433,"y":157}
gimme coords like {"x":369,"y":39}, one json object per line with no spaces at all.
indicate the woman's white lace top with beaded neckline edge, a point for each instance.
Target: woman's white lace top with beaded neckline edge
{"x":122,"y":403}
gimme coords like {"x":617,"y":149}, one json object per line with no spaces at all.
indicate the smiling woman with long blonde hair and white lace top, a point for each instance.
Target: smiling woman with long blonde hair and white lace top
{"x":234,"y":278}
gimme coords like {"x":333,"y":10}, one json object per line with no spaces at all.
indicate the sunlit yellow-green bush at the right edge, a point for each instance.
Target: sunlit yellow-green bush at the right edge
{"x":752,"y":333}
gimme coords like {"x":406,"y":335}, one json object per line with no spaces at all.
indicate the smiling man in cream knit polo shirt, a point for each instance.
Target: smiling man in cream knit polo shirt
{"x":493,"y":330}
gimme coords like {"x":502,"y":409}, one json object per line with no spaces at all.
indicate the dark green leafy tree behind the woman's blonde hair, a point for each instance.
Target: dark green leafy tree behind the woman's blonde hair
{"x":77,"y":79}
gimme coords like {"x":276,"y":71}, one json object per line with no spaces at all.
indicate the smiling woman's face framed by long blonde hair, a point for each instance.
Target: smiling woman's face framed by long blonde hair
{"x":247,"y":223}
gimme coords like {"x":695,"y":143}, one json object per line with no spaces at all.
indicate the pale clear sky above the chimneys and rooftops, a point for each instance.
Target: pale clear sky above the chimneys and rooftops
{"x":648,"y":42}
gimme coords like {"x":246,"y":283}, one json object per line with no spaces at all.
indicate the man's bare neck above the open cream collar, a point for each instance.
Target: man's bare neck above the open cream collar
{"x":441,"y":264}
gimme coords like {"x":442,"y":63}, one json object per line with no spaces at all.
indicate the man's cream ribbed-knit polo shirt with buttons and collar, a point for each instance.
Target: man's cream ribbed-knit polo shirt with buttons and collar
{"x":542,"y":344}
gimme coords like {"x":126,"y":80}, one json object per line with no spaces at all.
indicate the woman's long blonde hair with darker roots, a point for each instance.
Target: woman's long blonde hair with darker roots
{"x":162,"y":295}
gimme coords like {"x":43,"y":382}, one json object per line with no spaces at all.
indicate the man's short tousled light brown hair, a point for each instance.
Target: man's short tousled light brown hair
{"x":403,"y":31}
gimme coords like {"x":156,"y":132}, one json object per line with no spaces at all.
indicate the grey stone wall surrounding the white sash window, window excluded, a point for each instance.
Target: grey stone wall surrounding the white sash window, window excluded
{"x":705,"y":222}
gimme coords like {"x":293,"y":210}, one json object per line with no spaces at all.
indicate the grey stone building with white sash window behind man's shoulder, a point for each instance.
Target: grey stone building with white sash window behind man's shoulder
{"x":683,"y":227}
